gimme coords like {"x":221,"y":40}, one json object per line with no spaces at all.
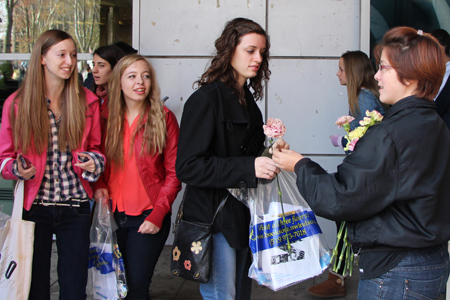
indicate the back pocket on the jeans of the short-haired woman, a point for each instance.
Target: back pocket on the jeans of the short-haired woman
{"x":424,"y":289}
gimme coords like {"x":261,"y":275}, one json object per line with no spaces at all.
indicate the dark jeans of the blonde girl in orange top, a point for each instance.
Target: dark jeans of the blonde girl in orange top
{"x":140,"y":251}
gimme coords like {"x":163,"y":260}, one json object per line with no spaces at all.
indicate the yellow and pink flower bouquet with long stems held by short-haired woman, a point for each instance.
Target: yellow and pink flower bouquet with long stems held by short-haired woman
{"x":352,"y":137}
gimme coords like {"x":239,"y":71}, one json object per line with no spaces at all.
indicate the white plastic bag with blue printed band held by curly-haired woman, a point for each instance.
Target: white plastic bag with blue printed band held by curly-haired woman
{"x":285,"y":250}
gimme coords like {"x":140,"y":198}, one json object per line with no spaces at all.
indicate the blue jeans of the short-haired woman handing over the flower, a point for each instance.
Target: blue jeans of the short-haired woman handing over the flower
{"x":422,"y":274}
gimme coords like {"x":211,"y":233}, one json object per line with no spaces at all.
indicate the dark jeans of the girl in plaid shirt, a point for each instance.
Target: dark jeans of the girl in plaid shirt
{"x":71,"y":226}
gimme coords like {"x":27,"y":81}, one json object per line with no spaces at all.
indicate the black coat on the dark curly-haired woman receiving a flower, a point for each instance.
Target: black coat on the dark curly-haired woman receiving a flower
{"x":219,"y":141}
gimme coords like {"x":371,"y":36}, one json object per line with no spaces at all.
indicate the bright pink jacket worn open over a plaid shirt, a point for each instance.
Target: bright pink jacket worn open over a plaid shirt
{"x":91,"y":142}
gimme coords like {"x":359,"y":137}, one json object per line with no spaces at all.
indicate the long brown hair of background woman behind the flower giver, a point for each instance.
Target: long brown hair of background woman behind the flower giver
{"x":359,"y":73}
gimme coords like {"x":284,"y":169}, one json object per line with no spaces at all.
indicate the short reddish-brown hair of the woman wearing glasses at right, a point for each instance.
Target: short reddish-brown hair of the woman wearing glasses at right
{"x":415,"y":56}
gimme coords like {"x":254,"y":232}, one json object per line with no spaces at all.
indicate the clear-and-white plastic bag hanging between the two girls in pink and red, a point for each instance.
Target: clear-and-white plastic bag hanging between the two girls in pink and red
{"x":106,"y":268}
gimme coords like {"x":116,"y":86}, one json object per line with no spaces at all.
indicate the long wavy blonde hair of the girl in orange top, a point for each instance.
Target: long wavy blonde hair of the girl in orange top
{"x":154,"y":139}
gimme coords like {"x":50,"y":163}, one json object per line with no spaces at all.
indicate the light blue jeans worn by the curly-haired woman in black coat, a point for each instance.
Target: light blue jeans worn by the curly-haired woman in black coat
{"x":228,"y":278}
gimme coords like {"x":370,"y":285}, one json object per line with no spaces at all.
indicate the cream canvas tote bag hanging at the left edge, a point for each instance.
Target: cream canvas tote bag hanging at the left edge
{"x":16,"y":250}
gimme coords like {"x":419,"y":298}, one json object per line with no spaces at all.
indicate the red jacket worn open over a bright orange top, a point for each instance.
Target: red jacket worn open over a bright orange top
{"x":157,"y":172}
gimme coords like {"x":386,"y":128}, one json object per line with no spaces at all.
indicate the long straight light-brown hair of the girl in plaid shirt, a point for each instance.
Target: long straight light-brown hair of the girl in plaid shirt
{"x":31,"y":126}
